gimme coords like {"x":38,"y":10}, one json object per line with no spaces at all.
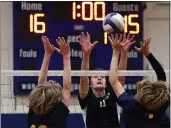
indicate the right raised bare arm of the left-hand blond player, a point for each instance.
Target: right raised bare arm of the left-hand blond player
{"x":65,"y":51}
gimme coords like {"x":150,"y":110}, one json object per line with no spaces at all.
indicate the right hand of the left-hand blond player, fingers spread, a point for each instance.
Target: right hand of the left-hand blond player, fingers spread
{"x":64,"y":47}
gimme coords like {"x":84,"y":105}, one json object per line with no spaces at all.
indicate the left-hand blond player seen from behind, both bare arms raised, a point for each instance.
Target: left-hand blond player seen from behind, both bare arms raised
{"x":49,"y":102}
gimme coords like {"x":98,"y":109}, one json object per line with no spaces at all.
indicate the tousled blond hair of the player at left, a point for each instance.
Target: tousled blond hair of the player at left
{"x":44,"y":97}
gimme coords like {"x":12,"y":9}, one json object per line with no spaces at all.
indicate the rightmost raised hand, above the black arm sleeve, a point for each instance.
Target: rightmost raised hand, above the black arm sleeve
{"x":144,"y":47}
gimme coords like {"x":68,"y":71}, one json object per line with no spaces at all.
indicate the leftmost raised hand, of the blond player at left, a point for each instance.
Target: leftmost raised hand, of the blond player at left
{"x":49,"y":49}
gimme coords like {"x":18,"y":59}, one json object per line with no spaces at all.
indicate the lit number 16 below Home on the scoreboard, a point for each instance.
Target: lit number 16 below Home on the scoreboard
{"x":34,"y":23}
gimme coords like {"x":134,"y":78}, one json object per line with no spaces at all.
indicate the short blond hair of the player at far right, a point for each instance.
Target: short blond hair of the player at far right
{"x":152,"y":95}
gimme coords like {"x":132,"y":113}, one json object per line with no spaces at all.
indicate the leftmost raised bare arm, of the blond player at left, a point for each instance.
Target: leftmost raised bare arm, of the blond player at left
{"x":49,"y":49}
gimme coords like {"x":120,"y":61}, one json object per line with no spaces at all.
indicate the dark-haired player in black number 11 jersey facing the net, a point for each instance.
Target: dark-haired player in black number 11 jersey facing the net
{"x":96,"y":96}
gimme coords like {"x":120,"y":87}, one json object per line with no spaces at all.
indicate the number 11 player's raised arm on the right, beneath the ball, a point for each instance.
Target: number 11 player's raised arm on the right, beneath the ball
{"x":124,"y":51}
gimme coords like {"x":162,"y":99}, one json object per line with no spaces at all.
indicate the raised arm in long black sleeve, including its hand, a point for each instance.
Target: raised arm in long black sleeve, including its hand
{"x":154,"y":63}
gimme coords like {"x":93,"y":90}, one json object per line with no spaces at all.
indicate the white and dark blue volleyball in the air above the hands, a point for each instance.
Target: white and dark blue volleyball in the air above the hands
{"x":113,"y":22}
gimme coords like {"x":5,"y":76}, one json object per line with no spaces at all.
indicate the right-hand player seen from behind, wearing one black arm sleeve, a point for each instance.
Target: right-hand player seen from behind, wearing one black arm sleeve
{"x":148,"y":108}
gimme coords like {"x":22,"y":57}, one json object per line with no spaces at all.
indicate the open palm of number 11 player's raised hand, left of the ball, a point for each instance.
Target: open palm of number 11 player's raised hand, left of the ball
{"x":85,"y":43}
